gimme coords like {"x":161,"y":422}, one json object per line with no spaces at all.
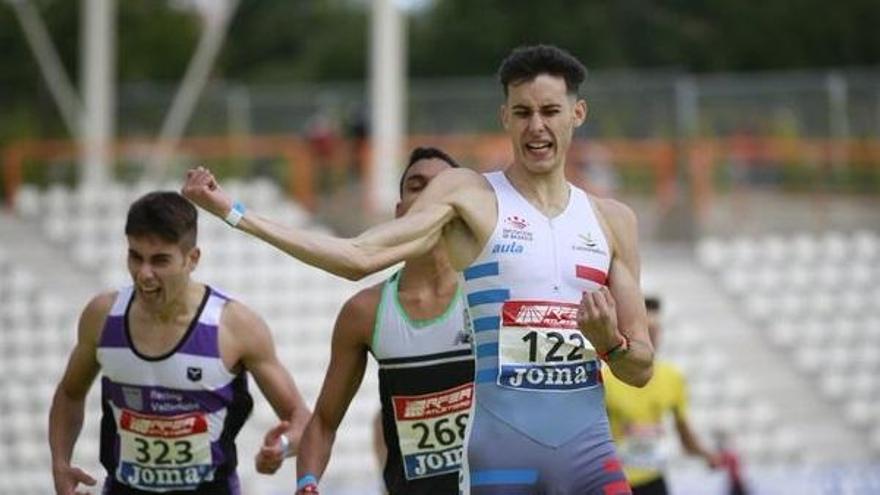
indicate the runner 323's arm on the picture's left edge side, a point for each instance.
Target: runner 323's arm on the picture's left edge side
{"x":68,"y":404}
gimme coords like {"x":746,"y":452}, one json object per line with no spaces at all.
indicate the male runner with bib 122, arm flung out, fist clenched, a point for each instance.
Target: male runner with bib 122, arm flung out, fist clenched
{"x":551,"y":280}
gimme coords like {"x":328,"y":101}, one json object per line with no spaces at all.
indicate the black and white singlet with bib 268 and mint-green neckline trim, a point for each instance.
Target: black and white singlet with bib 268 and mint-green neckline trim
{"x":426,"y":387}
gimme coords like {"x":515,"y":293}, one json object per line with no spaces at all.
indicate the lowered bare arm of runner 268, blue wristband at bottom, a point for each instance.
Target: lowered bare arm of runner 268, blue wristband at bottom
{"x":348,"y":359}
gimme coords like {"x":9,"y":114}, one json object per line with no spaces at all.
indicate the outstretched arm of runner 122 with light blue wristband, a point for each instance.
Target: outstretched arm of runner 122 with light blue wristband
{"x":412,"y":235}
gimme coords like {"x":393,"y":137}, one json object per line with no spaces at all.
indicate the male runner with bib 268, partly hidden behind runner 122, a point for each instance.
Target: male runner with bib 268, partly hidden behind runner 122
{"x":414,"y":326}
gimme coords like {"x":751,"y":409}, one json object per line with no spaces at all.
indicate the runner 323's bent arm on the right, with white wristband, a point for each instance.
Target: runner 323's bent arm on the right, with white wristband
{"x":252,"y":337}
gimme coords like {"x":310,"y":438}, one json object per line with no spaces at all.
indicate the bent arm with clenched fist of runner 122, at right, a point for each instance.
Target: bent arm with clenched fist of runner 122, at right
{"x":618,"y":310}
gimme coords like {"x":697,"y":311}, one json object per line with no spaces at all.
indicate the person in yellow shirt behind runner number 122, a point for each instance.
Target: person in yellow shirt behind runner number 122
{"x":636,"y":416}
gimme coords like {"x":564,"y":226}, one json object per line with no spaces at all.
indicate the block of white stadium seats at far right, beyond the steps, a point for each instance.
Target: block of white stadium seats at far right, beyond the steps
{"x":817,"y":299}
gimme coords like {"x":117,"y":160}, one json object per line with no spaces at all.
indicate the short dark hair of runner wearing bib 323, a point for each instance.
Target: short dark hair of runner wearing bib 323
{"x":165,"y":214}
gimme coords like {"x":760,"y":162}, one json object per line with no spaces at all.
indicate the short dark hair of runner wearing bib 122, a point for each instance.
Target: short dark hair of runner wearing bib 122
{"x":525,"y":63}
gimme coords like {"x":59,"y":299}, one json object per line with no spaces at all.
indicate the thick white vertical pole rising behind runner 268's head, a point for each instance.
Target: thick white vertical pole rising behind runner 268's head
{"x":387,"y":82}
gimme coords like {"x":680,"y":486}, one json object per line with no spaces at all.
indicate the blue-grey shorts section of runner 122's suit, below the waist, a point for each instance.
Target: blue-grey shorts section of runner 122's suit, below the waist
{"x":502,"y":461}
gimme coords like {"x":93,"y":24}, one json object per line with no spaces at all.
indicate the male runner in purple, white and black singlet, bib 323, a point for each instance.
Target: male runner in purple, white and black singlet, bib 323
{"x":174,"y":355}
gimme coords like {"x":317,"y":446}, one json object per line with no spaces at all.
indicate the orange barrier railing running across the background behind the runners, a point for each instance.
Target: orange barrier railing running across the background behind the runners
{"x":665,"y":159}
